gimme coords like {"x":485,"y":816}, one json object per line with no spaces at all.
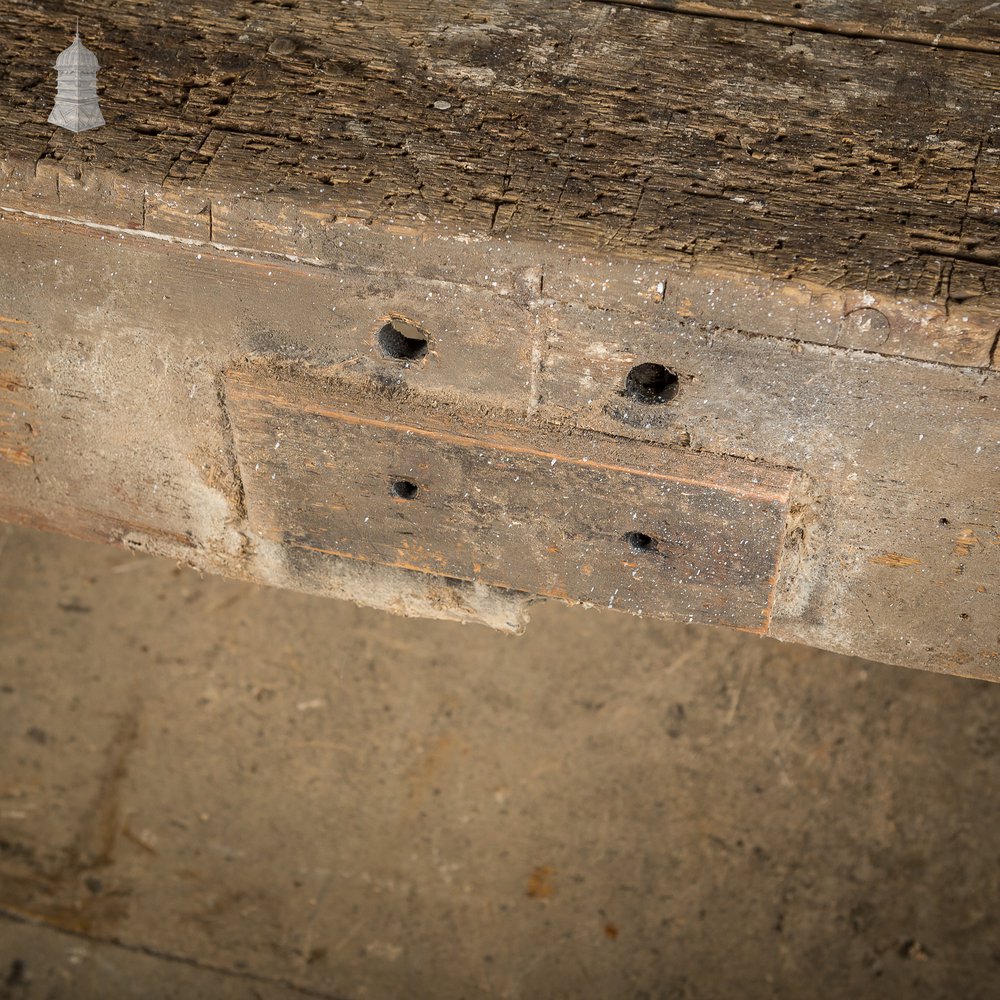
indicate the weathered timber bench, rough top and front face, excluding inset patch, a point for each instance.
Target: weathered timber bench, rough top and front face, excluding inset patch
{"x":801,"y":224}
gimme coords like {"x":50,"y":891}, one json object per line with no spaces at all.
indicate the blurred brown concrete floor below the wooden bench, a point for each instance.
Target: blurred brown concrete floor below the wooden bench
{"x":208,"y":789}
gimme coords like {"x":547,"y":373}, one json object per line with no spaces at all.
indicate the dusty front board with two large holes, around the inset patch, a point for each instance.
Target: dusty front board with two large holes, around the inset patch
{"x":896,"y":458}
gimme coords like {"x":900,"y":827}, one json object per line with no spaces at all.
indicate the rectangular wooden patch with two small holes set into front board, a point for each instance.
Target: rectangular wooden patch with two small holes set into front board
{"x":342,"y":470}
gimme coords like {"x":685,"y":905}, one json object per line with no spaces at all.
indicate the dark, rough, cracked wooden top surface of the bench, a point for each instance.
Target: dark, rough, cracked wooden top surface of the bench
{"x":855,"y":163}
